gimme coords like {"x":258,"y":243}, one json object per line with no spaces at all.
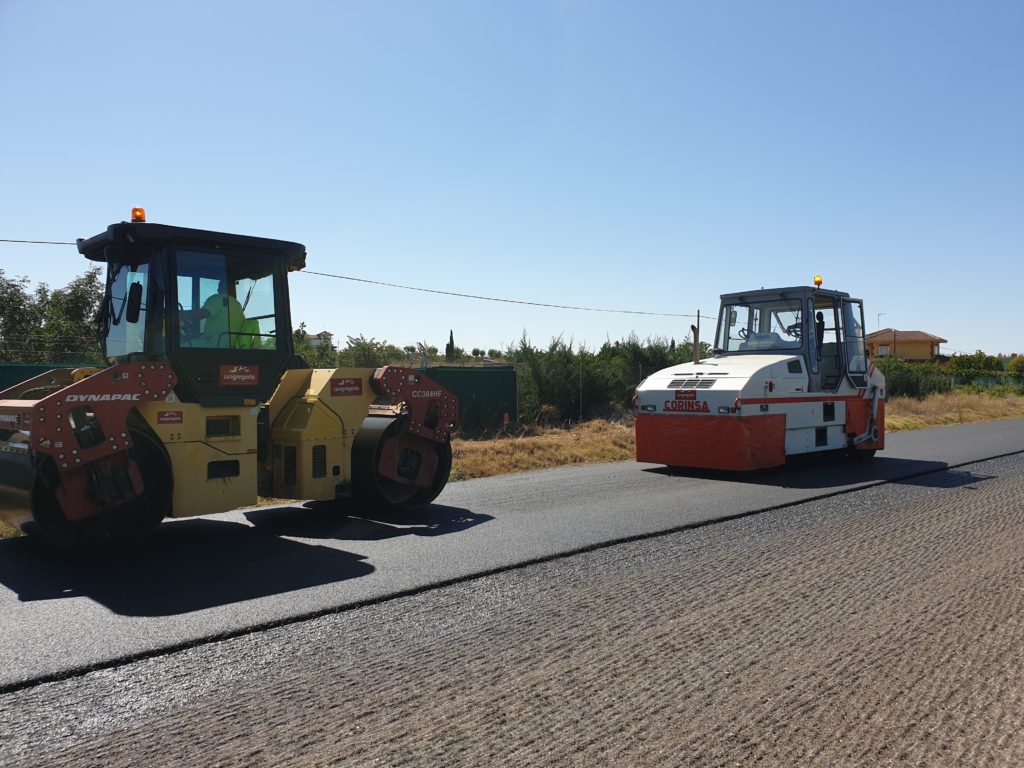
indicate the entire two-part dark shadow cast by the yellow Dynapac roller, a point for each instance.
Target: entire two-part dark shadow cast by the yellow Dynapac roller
{"x":190,"y":566}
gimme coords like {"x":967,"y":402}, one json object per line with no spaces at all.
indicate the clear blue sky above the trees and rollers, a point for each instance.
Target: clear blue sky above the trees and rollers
{"x":645,"y":156}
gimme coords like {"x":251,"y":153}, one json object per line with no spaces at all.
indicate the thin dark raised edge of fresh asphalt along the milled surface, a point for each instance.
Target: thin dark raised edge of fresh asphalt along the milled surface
{"x":77,"y":672}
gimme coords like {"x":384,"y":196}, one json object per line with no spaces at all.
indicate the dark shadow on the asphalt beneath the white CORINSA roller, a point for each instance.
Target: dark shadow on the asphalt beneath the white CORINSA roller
{"x":820,"y":473}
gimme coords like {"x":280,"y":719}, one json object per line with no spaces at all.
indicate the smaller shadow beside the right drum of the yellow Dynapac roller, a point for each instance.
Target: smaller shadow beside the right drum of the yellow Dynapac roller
{"x":349,"y":521}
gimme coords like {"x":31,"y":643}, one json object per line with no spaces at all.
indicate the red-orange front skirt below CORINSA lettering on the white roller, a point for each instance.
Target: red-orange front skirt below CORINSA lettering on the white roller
{"x":737,"y":443}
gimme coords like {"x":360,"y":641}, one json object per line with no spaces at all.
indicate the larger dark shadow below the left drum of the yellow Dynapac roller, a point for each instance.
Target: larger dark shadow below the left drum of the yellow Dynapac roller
{"x":188,"y":566}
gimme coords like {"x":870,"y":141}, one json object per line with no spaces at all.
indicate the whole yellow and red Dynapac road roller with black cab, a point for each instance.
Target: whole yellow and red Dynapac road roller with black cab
{"x":204,"y":405}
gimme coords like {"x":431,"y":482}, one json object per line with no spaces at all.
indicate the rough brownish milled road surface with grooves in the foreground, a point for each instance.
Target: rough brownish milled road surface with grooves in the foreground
{"x":881,"y":628}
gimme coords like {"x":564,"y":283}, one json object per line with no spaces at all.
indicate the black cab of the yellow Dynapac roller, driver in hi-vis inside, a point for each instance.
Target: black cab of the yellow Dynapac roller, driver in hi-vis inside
{"x":215,"y":306}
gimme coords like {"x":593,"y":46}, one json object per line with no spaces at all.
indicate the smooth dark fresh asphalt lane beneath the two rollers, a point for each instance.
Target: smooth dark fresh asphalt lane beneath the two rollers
{"x":224,"y":575}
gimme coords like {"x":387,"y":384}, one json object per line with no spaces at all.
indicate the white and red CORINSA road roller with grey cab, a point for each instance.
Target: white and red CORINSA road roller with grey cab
{"x":789,"y":375}
